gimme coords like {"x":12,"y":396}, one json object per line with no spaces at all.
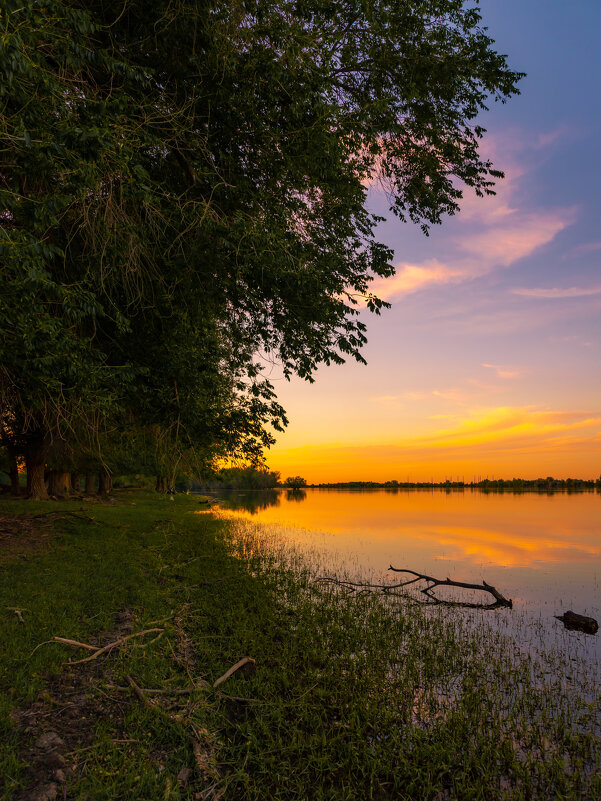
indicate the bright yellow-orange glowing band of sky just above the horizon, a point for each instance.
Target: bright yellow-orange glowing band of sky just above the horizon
{"x":496,"y":442}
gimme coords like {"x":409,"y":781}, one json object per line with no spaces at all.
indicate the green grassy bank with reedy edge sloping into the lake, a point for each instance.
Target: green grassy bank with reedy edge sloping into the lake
{"x":350,"y":698}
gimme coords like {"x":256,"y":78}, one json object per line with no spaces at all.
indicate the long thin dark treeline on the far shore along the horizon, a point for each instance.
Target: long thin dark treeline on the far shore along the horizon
{"x":515,"y":484}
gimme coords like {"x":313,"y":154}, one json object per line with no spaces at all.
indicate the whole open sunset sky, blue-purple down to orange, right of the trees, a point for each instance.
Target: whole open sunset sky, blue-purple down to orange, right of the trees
{"x":487,"y":364}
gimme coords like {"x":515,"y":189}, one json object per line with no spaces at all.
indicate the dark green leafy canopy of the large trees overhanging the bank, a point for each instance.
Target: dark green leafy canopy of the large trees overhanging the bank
{"x":182,"y":194}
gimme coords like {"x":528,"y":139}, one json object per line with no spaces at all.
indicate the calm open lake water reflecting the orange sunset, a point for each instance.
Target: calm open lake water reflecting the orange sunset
{"x":543,"y":551}
